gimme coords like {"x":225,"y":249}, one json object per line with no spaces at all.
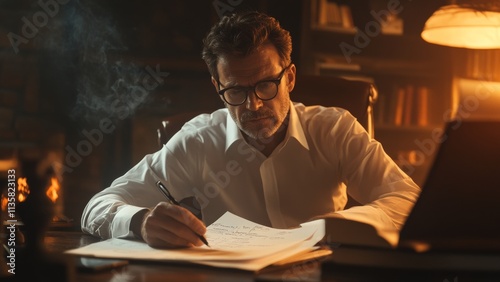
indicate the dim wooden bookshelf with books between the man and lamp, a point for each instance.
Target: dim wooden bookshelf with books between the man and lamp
{"x":382,"y":45}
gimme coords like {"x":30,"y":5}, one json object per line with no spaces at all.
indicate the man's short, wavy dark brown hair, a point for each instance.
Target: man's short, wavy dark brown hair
{"x":241,"y":34}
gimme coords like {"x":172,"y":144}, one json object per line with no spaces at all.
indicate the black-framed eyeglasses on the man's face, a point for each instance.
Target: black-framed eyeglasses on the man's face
{"x":265,"y":90}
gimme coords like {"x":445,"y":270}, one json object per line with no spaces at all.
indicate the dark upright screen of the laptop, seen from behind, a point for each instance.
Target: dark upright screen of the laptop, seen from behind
{"x":459,"y":207}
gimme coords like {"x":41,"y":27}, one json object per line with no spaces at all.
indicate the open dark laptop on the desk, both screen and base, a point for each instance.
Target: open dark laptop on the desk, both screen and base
{"x":455,"y":223}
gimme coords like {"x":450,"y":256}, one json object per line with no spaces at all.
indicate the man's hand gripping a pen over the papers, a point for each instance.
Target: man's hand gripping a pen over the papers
{"x":171,"y":226}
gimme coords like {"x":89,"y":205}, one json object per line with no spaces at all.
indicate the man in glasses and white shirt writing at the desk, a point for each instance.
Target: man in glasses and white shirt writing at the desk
{"x":263,"y":157}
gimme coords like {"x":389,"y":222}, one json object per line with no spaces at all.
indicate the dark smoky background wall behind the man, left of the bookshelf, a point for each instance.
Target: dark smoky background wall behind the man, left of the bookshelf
{"x":84,"y":84}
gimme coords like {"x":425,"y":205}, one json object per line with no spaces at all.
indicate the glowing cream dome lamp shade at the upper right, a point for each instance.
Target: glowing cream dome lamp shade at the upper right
{"x":463,"y":27}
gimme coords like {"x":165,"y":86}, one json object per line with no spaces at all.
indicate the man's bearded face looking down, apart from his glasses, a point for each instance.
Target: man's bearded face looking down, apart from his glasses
{"x":257,"y":119}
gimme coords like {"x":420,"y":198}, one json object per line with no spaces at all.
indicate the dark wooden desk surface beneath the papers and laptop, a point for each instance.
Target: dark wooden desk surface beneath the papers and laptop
{"x":56,"y":242}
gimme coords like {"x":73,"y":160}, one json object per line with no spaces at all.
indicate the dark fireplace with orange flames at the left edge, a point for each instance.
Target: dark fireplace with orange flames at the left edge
{"x":31,"y":144}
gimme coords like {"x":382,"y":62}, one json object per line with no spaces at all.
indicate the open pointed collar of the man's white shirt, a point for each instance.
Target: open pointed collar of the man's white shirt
{"x":294,"y":130}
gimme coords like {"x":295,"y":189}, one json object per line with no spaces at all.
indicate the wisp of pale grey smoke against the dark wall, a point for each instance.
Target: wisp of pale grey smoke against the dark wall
{"x":105,"y":84}
